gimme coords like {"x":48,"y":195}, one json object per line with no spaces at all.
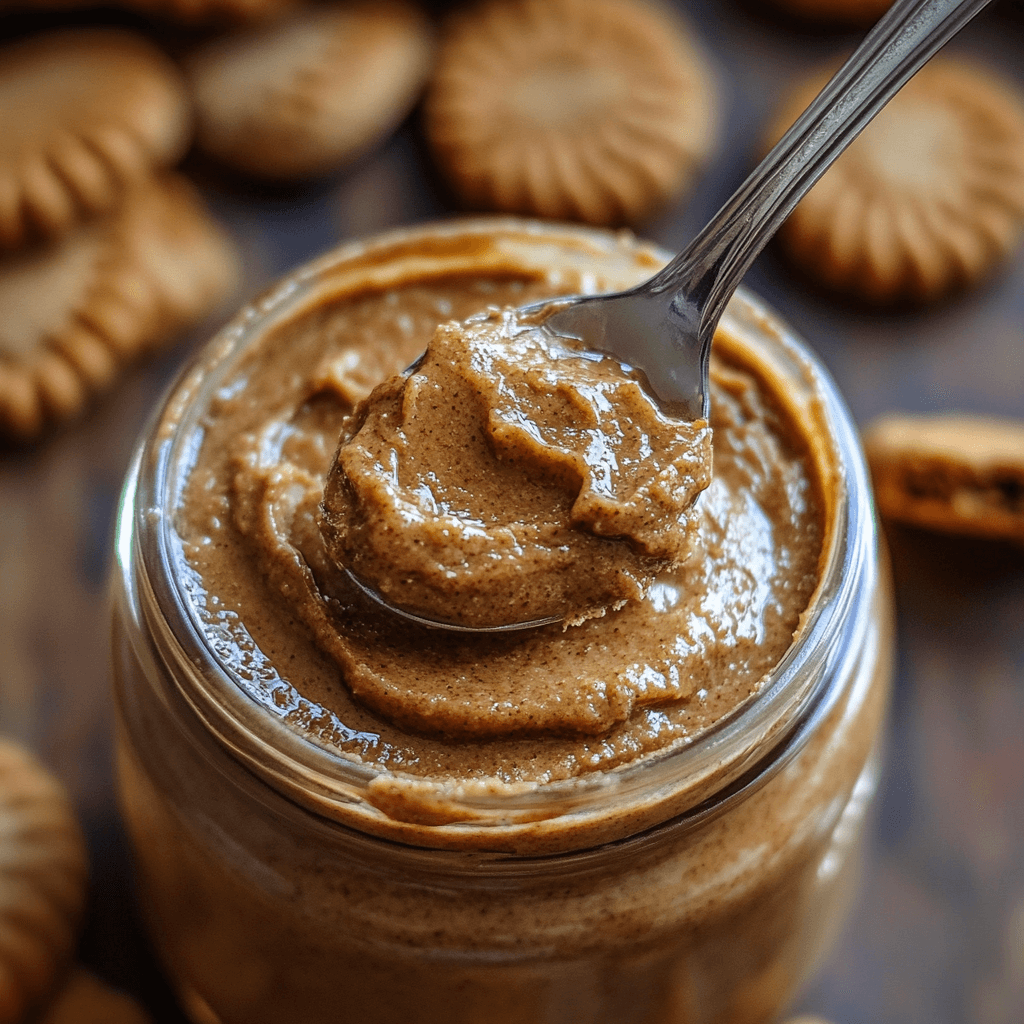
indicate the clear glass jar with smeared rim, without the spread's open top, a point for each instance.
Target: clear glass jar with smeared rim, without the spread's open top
{"x":698,"y":885}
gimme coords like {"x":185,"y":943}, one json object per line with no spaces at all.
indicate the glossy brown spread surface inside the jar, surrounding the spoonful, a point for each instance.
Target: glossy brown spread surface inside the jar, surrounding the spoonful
{"x":536,"y":707}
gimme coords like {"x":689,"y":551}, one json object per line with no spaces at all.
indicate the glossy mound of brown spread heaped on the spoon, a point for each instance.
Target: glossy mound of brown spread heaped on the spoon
{"x":509,"y":478}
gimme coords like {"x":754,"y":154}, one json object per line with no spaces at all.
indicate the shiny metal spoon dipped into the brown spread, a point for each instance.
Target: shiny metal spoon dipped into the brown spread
{"x":664,"y":327}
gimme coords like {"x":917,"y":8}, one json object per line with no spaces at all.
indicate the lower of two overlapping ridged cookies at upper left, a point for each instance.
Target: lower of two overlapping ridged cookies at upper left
{"x":78,"y":309}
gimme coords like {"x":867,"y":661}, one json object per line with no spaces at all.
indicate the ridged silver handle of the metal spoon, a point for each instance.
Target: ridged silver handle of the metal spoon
{"x":705,"y":275}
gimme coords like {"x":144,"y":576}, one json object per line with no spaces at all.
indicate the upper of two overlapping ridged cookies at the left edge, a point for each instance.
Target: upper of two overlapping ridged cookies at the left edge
{"x":88,"y":114}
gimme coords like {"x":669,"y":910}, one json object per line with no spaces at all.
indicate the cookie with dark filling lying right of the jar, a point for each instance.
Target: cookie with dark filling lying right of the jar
{"x":954,"y":474}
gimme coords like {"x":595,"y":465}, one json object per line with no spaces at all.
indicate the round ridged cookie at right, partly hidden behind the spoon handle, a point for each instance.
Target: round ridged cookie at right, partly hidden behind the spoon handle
{"x":926,"y":201}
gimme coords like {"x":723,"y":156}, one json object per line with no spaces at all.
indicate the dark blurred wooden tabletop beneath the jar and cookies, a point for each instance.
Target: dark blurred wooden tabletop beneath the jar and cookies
{"x":938,"y":935}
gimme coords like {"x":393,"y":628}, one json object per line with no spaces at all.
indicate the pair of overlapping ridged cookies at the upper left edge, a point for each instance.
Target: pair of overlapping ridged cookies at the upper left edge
{"x":105,"y":252}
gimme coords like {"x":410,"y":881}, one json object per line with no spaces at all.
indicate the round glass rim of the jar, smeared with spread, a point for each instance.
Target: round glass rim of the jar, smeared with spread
{"x":738,"y":753}
